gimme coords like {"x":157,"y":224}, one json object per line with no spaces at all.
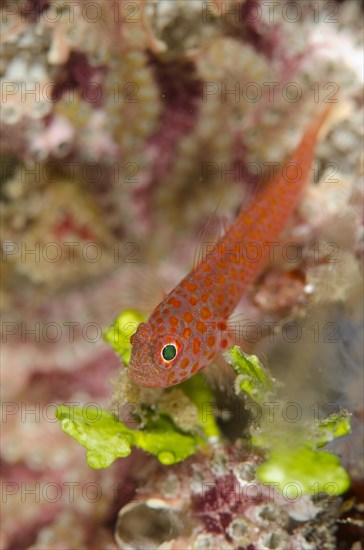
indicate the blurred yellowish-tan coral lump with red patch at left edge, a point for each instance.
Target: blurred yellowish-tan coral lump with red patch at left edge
{"x":60,"y":223}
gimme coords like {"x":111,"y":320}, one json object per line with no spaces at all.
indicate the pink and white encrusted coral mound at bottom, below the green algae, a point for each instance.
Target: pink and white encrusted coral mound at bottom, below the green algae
{"x":208,"y":502}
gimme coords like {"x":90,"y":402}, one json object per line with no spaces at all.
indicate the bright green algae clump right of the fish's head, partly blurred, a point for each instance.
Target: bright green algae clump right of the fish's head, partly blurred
{"x":294,"y":459}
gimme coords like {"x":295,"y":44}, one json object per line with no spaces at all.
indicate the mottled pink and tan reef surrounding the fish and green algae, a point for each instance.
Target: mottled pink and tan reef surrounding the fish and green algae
{"x":124,"y":125}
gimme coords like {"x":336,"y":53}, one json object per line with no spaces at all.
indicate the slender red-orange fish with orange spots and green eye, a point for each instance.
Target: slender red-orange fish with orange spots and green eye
{"x":188,"y":328}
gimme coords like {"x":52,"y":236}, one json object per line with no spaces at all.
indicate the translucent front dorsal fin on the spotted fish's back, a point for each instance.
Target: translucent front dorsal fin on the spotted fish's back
{"x":216,"y":226}
